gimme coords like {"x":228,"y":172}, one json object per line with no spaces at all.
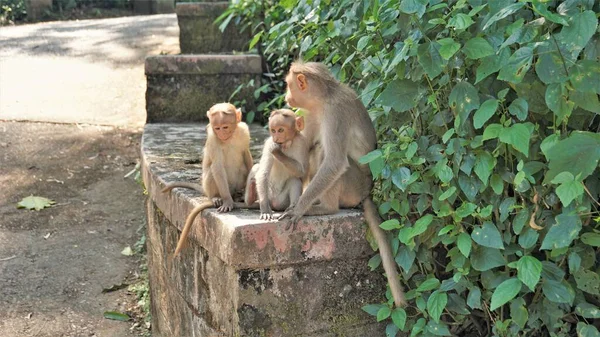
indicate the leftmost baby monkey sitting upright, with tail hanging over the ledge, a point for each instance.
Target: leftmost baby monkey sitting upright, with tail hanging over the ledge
{"x":225,"y":165}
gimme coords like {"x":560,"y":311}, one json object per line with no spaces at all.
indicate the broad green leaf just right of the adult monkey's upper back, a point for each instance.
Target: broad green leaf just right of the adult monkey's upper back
{"x":402,"y":95}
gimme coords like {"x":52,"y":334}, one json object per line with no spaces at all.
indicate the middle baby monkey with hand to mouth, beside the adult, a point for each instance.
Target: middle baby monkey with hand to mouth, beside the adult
{"x":283,"y":164}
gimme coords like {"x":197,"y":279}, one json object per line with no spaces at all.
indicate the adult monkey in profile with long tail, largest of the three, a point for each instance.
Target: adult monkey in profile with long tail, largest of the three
{"x":339,"y":130}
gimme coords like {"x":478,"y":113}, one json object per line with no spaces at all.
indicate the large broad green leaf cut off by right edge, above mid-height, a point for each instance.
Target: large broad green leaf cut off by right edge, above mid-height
{"x":578,"y":154}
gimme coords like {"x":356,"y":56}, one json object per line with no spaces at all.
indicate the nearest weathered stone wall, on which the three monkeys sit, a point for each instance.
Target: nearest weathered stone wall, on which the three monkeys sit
{"x":240,"y":276}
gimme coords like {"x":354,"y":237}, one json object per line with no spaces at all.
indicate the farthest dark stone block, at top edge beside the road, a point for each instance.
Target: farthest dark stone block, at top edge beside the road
{"x":198,"y":34}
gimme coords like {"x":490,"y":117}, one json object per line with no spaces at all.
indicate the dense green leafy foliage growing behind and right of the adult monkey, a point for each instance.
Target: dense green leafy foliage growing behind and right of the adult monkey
{"x":487,"y":168}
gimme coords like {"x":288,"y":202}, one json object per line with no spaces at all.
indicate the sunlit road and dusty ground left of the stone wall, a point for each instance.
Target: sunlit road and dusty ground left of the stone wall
{"x":54,"y":263}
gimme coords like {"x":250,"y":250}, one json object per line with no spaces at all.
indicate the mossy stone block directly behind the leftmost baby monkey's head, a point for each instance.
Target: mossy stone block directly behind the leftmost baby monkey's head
{"x":181,"y":88}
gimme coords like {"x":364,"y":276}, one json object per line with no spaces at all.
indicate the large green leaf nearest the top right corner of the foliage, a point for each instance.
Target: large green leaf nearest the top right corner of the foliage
{"x":582,"y":27}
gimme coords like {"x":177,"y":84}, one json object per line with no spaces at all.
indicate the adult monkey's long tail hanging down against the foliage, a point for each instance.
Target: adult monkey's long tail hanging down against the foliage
{"x":389,"y":265}
